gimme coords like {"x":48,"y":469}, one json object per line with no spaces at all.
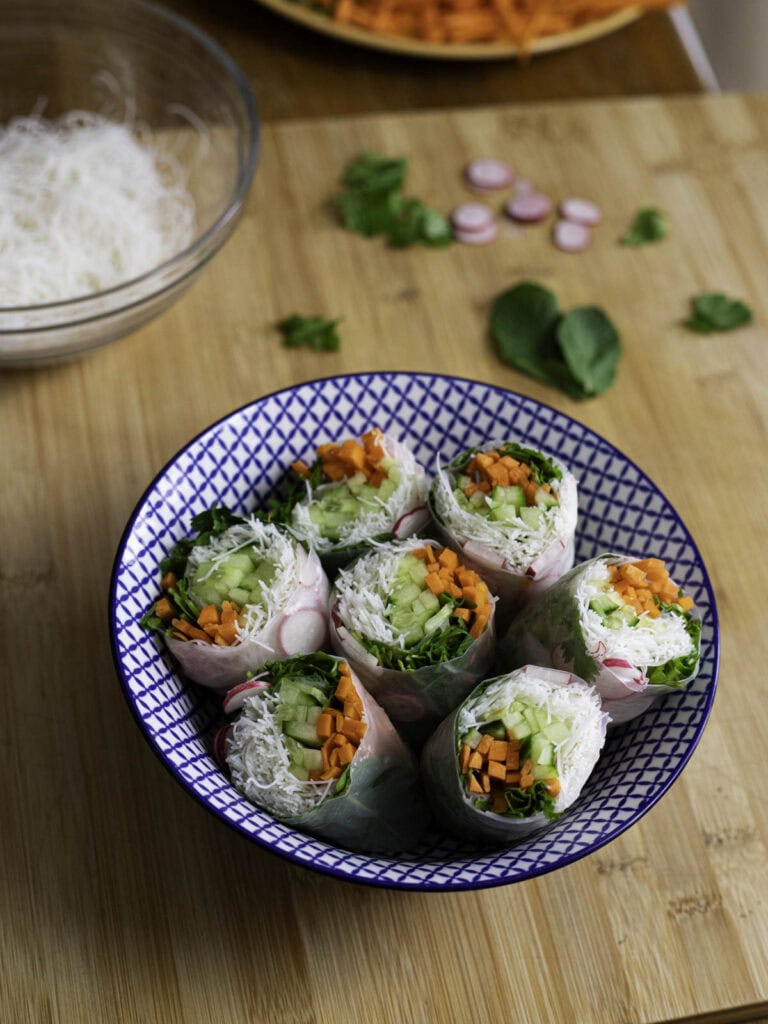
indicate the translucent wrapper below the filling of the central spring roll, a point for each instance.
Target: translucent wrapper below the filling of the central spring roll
{"x":418,"y":702}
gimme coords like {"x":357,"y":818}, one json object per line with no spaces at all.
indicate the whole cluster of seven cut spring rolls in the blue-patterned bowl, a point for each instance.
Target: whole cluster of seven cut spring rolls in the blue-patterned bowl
{"x":395,"y":650}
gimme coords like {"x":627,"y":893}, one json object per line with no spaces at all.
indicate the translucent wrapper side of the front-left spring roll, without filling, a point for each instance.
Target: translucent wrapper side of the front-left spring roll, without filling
{"x":383,"y":808}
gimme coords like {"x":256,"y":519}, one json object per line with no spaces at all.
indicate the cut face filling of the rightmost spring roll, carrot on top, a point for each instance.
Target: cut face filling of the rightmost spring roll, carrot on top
{"x":634,"y":612}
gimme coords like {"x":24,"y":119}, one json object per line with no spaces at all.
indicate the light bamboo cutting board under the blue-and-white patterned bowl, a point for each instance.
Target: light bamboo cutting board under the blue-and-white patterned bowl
{"x":121,"y":900}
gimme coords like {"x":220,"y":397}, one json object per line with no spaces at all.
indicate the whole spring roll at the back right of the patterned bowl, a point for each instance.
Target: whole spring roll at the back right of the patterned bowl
{"x":511,"y":513}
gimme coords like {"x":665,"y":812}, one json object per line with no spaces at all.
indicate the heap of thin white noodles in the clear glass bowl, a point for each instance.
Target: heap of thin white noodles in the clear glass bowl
{"x":84,"y":206}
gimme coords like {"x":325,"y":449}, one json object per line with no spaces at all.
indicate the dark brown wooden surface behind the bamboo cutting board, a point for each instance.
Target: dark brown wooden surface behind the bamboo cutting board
{"x":297,"y":73}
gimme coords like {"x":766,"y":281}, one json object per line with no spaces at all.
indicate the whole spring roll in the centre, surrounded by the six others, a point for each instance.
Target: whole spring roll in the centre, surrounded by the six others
{"x":417,"y":626}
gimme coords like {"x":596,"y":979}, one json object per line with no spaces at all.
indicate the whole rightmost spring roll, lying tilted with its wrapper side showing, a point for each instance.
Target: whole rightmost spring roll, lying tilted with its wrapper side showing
{"x":621,"y":624}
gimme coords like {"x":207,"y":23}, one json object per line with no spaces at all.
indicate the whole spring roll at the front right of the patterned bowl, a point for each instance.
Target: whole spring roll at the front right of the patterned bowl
{"x":515,"y":755}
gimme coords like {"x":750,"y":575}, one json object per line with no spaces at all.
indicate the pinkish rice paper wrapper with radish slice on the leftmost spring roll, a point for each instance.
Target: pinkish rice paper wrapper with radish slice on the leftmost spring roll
{"x":297,"y":626}
